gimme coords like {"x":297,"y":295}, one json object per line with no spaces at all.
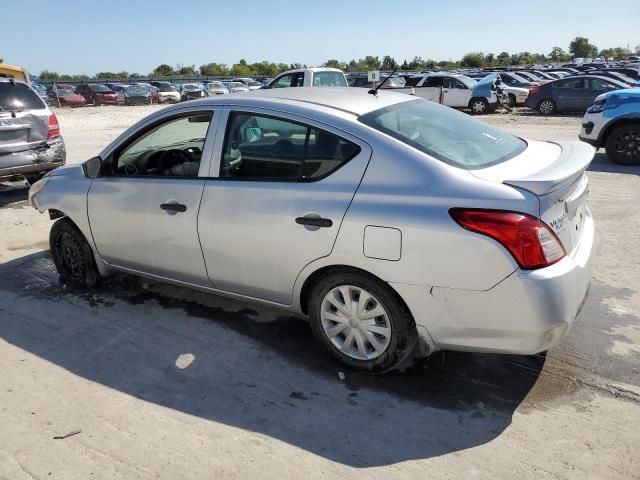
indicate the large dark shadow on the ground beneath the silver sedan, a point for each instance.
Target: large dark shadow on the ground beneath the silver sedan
{"x":258,"y":370}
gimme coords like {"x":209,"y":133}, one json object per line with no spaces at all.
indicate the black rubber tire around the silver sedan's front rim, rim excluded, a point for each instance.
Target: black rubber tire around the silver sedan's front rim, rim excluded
{"x":92,"y":276}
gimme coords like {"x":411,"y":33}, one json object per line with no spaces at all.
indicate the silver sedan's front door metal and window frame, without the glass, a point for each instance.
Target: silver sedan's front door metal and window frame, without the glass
{"x":135,"y":225}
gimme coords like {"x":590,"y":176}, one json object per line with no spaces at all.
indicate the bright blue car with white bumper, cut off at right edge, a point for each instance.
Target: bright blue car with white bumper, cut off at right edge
{"x":613,"y":122}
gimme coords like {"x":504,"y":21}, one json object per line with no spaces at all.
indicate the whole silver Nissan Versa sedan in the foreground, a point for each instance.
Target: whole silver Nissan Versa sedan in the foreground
{"x":398,"y":226}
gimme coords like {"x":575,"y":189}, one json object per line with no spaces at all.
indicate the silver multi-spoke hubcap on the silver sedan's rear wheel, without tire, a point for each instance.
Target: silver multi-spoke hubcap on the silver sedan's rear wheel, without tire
{"x":355,"y":322}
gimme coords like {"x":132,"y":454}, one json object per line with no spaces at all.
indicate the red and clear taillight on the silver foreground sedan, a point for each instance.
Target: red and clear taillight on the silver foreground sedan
{"x":530,"y":241}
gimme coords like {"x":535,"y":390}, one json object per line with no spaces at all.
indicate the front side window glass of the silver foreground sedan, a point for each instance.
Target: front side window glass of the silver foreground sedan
{"x":173,"y":148}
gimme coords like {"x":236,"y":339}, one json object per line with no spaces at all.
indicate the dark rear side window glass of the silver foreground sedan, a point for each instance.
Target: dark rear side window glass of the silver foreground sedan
{"x":266,"y":148}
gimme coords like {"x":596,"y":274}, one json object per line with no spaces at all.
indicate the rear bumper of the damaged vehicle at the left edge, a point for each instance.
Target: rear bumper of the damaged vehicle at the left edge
{"x":36,"y":160}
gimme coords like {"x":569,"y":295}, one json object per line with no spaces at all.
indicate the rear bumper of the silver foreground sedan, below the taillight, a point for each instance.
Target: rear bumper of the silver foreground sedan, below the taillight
{"x":528,"y":312}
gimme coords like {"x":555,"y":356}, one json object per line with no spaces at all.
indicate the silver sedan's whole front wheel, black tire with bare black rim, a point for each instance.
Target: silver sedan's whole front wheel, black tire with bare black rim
{"x":72,"y":256}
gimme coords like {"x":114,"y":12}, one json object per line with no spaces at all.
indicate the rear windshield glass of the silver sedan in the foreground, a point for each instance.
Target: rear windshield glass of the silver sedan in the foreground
{"x":446,"y":134}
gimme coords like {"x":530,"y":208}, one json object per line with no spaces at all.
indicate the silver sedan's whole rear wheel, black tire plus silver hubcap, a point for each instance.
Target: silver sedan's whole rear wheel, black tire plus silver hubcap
{"x":395,"y":332}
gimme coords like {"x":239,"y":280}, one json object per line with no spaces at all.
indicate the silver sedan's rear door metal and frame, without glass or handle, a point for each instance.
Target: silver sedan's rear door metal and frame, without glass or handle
{"x":251,"y":241}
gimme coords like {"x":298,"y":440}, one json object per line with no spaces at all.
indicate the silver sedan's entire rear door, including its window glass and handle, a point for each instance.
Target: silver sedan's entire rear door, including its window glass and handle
{"x":280,"y":188}
